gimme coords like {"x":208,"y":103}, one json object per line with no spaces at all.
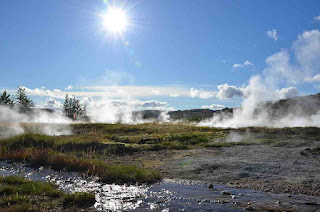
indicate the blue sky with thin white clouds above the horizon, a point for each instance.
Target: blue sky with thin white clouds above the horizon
{"x":168,"y":48}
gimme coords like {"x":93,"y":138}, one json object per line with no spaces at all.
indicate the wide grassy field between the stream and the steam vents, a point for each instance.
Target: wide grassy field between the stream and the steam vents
{"x":94,"y":147}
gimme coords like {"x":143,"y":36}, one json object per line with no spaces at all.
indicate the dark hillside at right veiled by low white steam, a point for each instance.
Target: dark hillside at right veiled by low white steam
{"x":293,"y":112}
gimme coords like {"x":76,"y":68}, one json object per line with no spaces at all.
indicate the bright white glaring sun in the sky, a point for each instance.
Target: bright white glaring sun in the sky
{"x":115,"y":20}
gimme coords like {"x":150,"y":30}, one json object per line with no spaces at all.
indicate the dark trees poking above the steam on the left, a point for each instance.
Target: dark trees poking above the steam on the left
{"x":72,"y":107}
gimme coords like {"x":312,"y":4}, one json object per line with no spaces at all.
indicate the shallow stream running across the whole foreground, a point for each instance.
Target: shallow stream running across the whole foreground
{"x":168,"y":195}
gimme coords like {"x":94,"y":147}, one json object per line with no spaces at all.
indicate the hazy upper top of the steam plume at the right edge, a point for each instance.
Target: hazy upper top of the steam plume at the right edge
{"x":306,"y":50}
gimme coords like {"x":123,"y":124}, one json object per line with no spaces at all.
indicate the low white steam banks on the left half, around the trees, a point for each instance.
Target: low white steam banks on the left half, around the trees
{"x":13,"y":122}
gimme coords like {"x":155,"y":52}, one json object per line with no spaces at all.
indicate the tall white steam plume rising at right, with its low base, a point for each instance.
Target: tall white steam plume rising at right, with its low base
{"x":265,"y":87}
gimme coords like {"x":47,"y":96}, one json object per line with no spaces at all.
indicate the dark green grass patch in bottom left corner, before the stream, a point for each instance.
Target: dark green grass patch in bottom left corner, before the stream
{"x":19,"y":194}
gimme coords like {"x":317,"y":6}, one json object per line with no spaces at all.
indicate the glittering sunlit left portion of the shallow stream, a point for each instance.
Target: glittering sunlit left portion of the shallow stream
{"x":108,"y":196}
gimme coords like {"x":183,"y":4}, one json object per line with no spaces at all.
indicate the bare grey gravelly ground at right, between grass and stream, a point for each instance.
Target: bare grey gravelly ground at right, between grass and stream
{"x":280,"y":168}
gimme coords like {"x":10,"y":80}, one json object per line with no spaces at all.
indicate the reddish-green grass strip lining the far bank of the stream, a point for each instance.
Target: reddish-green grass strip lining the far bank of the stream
{"x":108,"y":173}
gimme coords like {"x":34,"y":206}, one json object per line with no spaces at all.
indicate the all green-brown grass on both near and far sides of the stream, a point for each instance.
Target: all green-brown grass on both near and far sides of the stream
{"x":118,"y":153}
